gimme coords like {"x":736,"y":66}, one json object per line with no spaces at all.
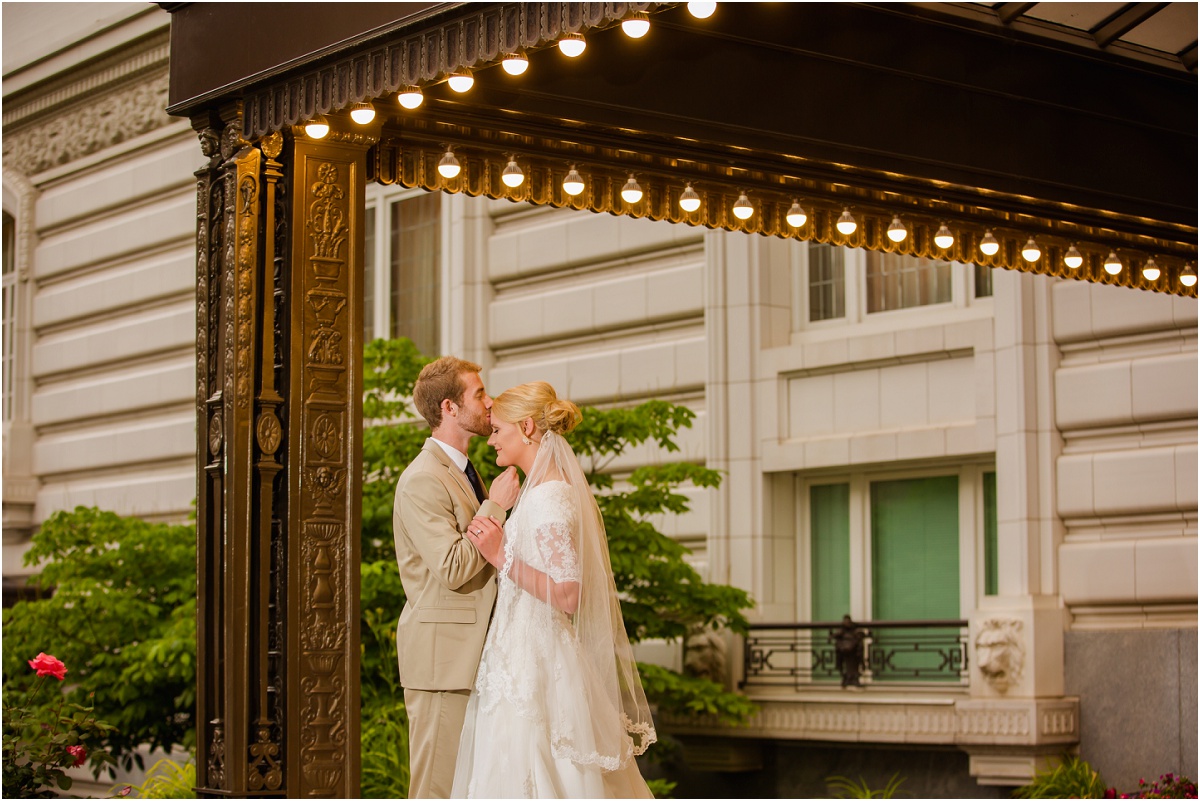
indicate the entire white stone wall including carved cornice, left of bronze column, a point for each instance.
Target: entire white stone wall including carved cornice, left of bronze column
{"x":100,"y":180}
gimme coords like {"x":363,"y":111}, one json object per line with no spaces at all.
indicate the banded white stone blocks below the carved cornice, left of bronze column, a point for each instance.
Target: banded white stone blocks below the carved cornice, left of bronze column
{"x":115,"y":329}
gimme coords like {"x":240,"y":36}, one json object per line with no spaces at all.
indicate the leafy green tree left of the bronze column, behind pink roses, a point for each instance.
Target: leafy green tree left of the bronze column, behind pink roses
{"x":122,"y":616}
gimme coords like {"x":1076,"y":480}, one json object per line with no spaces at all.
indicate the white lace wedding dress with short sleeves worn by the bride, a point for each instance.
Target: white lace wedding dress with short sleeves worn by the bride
{"x":539,"y":724}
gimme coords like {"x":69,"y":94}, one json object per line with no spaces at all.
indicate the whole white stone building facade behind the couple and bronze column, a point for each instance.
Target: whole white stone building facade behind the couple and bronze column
{"x":1052,"y":424}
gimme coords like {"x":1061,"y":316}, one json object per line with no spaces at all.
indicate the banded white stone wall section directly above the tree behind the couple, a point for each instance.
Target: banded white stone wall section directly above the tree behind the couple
{"x":610,"y":311}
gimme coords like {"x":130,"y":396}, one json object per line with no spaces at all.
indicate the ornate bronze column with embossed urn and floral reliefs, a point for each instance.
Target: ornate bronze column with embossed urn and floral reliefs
{"x":280,"y":243}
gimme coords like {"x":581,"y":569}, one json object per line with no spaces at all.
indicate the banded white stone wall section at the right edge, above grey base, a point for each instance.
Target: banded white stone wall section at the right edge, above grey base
{"x":1126,"y":405}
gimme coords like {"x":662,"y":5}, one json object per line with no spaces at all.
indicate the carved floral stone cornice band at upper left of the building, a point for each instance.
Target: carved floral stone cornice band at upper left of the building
{"x":91,"y":125}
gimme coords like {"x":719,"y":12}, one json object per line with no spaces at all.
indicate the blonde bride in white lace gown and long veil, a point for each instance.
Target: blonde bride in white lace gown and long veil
{"x":559,"y":708}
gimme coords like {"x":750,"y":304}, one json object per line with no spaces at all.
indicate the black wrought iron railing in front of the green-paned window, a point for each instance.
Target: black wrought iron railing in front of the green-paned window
{"x":883,"y":653}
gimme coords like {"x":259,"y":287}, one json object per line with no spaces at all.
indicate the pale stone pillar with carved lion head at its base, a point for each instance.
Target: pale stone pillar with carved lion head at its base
{"x":1018,"y":718}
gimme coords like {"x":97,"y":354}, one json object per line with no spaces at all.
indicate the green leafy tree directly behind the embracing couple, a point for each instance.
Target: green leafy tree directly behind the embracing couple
{"x":663,"y":597}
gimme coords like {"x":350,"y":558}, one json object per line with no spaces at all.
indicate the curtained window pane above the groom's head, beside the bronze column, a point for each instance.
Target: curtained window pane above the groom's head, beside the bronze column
{"x":416,"y":242}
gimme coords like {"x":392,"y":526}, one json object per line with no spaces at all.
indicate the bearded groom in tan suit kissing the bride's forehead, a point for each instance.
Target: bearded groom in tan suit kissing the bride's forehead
{"x":449,"y":586}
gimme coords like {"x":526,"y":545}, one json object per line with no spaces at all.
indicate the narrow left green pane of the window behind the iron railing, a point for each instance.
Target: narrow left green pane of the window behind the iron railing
{"x":831,"y":551}
